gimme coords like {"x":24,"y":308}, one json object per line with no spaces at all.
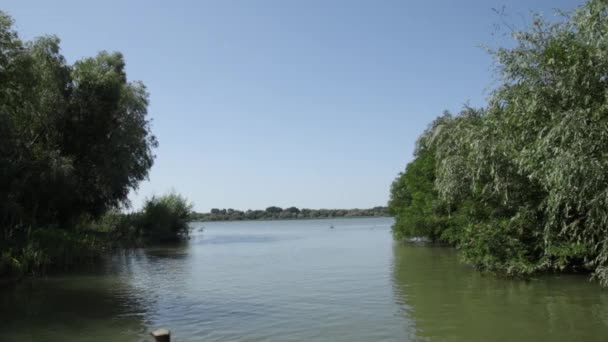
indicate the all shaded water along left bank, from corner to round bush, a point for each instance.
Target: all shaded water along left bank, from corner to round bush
{"x":113,"y":301}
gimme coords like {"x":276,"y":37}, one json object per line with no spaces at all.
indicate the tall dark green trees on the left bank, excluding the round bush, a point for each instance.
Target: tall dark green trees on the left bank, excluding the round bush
{"x":75,"y":141}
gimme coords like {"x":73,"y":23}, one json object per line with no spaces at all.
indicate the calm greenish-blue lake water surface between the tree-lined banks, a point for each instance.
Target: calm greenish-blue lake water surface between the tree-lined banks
{"x":300,"y":281}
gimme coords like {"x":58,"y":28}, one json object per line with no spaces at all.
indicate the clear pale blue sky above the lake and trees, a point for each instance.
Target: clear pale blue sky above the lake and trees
{"x":312,"y":103}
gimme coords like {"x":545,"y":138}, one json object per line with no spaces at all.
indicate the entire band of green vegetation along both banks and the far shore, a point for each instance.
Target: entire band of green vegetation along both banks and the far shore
{"x":519,"y":186}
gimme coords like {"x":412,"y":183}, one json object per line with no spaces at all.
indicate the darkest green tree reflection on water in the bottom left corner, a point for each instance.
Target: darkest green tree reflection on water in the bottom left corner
{"x":44,"y":310}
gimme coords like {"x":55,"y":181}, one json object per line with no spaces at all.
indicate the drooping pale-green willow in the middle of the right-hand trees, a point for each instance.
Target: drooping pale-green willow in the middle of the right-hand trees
{"x":493,"y":206}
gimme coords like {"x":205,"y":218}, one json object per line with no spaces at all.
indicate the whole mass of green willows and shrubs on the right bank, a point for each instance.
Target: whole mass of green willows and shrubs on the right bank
{"x":520,"y":186}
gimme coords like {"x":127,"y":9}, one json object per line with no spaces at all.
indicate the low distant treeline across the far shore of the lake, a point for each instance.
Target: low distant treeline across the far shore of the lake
{"x":277,"y":213}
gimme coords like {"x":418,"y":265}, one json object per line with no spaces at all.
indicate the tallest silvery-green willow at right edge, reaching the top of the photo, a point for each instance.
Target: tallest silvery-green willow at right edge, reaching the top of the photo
{"x":555,"y":98}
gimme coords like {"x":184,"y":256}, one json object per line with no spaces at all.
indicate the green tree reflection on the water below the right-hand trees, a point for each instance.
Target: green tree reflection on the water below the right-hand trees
{"x":448,"y":301}
